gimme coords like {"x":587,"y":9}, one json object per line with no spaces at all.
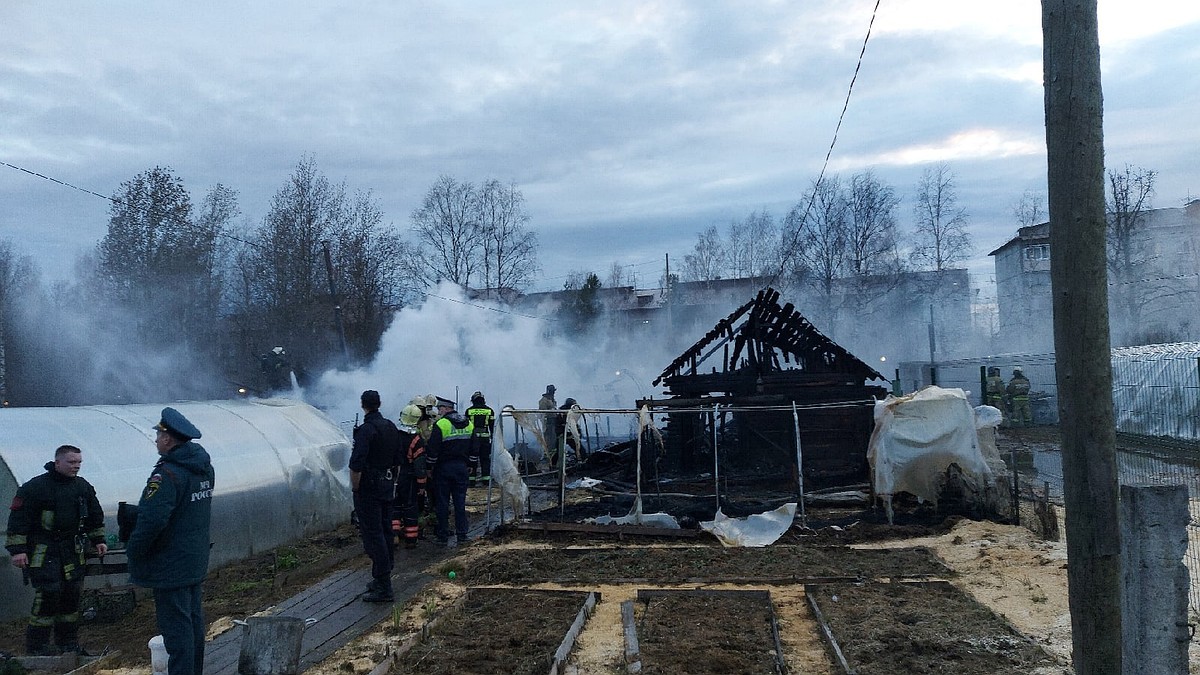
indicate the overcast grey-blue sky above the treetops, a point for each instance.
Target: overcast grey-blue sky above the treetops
{"x":629,"y":127}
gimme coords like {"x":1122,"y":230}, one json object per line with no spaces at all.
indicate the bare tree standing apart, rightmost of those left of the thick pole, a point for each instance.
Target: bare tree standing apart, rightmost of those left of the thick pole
{"x":940,"y":235}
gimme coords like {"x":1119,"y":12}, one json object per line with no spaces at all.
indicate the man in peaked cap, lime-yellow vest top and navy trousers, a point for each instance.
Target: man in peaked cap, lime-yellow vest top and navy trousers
{"x":451,"y":453}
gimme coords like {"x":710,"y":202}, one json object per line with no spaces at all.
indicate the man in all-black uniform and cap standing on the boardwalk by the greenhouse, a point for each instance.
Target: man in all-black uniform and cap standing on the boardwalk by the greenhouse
{"x":375,"y":463}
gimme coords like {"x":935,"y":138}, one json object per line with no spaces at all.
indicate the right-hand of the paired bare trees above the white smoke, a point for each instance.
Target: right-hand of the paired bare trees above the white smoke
{"x":511,"y":252}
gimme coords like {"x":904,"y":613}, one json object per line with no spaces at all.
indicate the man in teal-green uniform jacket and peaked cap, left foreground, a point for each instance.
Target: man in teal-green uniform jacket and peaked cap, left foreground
{"x":169,"y":549}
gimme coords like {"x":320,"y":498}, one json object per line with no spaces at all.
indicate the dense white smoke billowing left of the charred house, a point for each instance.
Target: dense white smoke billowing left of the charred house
{"x":452,"y":347}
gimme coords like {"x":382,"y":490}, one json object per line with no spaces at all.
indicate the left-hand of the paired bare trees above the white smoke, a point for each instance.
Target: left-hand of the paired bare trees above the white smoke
{"x":452,"y":235}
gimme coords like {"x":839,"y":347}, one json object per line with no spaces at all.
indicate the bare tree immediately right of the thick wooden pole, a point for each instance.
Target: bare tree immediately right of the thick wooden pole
{"x":1130,"y":198}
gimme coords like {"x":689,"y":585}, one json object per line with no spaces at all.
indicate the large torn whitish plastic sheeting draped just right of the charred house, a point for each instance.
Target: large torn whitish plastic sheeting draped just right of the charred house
{"x":917,"y":438}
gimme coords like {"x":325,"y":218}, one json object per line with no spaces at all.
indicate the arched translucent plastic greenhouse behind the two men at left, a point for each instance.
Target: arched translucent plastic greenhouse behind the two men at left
{"x":281,"y":469}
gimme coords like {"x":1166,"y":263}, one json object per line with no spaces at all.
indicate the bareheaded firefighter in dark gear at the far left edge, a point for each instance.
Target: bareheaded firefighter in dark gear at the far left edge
{"x":52,"y":521}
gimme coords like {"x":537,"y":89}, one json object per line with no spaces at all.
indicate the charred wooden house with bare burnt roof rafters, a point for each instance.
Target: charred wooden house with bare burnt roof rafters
{"x":772,"y":373}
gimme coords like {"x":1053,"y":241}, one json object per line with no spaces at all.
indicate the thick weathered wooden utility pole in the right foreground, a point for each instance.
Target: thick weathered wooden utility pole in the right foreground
{"x":1084,"y":369}
